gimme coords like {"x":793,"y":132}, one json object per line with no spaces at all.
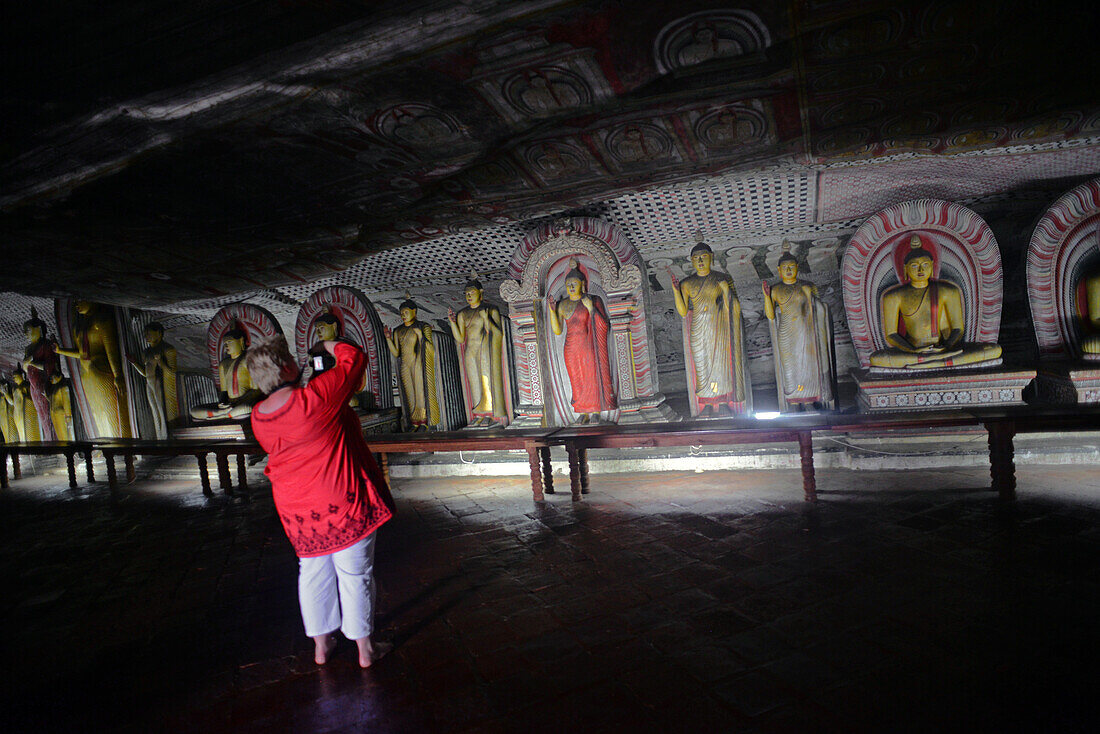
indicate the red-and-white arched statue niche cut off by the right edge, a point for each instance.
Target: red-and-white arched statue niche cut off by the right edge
{"x":1064,"y":294}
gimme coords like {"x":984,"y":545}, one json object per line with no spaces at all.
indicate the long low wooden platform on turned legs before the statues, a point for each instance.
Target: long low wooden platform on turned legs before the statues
{"x":1002,"y":424}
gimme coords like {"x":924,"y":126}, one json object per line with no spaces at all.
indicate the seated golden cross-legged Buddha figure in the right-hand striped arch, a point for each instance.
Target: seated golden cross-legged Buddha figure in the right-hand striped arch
{"x":923,"y":322}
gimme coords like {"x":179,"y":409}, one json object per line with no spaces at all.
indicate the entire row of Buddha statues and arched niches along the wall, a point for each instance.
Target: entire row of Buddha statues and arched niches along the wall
{"x":921,"y":287}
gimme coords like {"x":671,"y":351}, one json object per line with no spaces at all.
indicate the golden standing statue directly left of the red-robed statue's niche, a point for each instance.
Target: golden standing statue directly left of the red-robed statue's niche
{"x":478,"y":332}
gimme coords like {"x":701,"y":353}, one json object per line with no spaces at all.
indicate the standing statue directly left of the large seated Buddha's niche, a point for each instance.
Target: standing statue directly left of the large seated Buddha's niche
{"x":801,"y":338}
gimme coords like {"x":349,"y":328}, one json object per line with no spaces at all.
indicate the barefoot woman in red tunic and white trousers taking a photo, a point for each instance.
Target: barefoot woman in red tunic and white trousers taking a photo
{"x":328,"y":490}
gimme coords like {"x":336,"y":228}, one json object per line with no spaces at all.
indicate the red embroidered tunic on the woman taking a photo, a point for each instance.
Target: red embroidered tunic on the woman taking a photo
{"x":328,"y":490}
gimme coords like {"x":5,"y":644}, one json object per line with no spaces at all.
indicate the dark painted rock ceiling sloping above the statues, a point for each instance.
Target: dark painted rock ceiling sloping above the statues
{"x":160,"y":154}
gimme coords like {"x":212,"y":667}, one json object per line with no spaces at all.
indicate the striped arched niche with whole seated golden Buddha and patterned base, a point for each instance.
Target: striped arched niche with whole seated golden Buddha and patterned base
{"x":922,"y":290}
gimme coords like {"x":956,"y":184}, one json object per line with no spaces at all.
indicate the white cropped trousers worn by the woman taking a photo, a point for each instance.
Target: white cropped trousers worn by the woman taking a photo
{"x":337,"y":591}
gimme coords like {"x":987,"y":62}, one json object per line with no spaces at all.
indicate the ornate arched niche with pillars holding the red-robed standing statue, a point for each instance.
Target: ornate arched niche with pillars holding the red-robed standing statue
{"x":580,"y":328}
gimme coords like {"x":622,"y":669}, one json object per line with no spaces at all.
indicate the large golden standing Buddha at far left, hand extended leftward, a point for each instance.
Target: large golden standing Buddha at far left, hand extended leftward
{"x":98,"y":361}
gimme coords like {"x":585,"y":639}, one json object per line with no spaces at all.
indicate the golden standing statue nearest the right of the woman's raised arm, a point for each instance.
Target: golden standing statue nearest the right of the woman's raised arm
{"x":412,"y":346}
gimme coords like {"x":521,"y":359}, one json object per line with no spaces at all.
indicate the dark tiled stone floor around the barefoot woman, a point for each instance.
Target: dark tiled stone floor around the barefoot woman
{"x":673,"y":602}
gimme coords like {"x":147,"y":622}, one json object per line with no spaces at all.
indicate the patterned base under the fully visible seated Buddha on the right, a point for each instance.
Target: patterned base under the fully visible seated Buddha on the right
{"x":942,"y":391}
